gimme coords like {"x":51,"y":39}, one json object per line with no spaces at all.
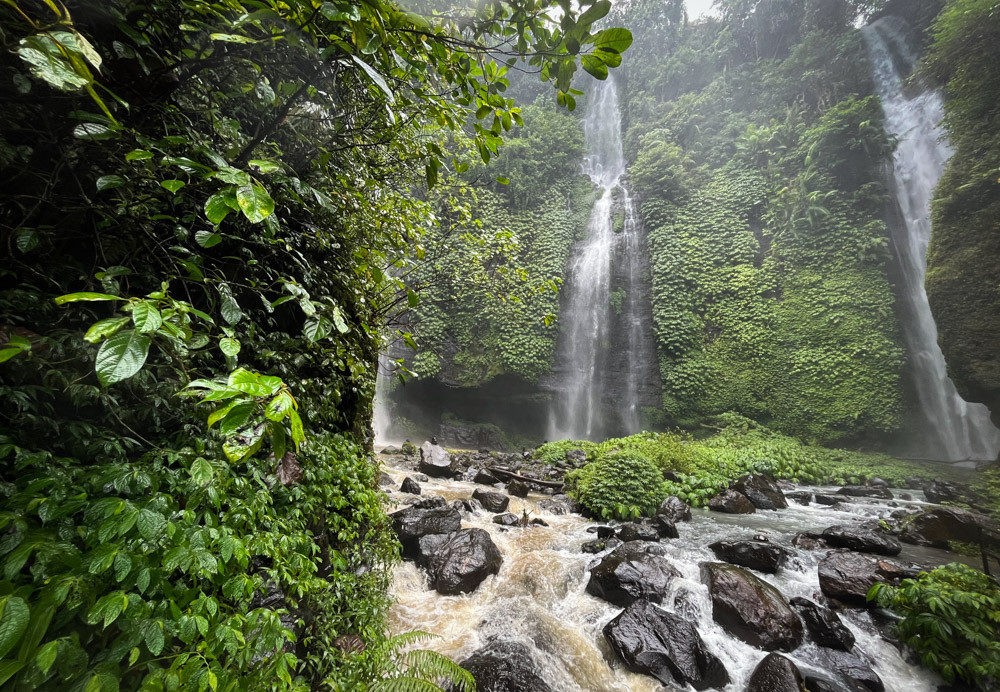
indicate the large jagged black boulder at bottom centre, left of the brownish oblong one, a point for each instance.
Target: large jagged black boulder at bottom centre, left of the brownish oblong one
{"x":657,"y":643}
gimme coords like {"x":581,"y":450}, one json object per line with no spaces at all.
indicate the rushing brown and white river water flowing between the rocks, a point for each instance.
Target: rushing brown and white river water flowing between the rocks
{"x":539,"y":596}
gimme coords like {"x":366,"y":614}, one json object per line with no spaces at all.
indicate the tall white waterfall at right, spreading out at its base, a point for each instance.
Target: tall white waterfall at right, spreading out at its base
{"x":955,"y":429}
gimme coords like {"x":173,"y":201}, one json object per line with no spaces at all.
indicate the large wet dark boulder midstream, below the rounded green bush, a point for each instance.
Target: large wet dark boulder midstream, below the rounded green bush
{"x":631,"y":572}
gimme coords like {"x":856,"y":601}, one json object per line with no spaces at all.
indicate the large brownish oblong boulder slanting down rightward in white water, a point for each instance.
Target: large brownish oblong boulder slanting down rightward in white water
{"x":751,"y":609}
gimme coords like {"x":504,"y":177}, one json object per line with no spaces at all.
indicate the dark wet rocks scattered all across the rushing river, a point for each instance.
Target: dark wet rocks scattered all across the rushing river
{"x":632,"y":571}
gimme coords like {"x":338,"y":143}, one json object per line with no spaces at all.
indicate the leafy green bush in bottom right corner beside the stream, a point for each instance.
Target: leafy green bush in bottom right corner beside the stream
{"x":950,"y":618}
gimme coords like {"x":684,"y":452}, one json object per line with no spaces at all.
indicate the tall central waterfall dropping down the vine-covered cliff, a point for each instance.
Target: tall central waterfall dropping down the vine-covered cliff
{"x":598,"y":391}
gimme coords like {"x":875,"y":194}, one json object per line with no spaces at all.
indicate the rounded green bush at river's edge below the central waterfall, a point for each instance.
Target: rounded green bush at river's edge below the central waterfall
{"x":618,"y":485}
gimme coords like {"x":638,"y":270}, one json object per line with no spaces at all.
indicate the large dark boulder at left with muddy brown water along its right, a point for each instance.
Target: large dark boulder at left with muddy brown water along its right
{"x":460,"y":562}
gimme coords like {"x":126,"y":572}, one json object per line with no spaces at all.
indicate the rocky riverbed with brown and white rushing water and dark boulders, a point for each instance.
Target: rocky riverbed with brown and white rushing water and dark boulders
{"x":766,"y":592}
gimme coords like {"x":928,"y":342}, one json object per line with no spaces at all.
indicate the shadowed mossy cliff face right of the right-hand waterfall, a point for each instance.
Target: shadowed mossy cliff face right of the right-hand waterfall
{"x":963,"y":278}
